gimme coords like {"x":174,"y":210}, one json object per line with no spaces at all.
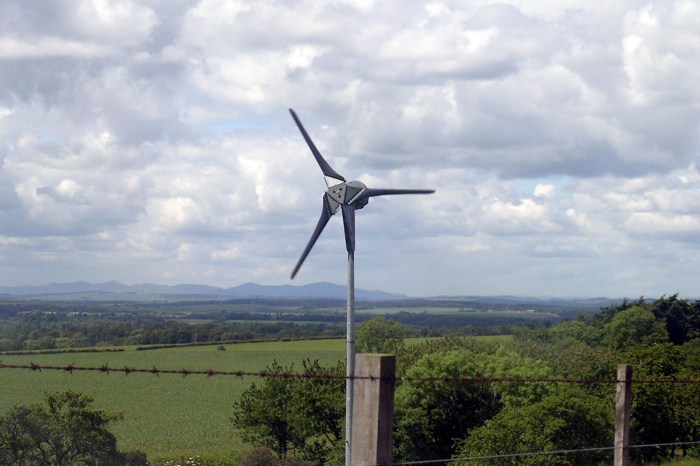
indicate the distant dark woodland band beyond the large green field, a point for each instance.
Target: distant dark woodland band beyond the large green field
{"x":51,"y":330}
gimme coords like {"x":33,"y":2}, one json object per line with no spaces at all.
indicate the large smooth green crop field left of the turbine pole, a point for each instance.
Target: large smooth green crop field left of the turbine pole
{"x":168,"y":415}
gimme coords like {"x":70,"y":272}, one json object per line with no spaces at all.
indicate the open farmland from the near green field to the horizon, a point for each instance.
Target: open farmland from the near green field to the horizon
{"x":168,"y":416}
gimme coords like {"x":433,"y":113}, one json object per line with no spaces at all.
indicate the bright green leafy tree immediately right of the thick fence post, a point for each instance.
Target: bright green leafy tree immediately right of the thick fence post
{"x":432,"y":415}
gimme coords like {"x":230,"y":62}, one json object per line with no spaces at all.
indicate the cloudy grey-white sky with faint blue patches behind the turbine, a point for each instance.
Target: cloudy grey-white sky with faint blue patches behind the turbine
{"x":150,"y":142}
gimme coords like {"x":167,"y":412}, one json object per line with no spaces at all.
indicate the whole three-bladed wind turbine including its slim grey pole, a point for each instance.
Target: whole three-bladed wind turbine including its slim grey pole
{"x":347,"y":196}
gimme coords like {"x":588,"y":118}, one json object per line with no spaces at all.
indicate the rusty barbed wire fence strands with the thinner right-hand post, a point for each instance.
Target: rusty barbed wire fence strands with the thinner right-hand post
{"x":621,"y":448}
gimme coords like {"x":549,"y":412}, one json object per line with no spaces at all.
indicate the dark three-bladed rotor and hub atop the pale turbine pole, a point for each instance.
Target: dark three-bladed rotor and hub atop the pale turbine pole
{"x":347,"y":196}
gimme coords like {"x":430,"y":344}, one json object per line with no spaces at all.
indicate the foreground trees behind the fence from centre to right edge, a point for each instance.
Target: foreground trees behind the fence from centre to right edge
{"x":442,"y":420}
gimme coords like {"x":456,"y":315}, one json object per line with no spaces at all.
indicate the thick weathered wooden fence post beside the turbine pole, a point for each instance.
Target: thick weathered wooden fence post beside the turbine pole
{"x":373,"y":409}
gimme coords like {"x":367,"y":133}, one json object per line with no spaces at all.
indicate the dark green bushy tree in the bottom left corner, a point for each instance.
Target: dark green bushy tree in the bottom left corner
{"x":65,"y":430}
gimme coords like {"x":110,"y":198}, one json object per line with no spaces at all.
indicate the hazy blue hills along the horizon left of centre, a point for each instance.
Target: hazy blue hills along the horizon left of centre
{"x":116,"y":290}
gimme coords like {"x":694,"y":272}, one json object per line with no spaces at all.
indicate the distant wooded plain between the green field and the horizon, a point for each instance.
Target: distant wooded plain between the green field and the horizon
{"x":41,"y":324}
